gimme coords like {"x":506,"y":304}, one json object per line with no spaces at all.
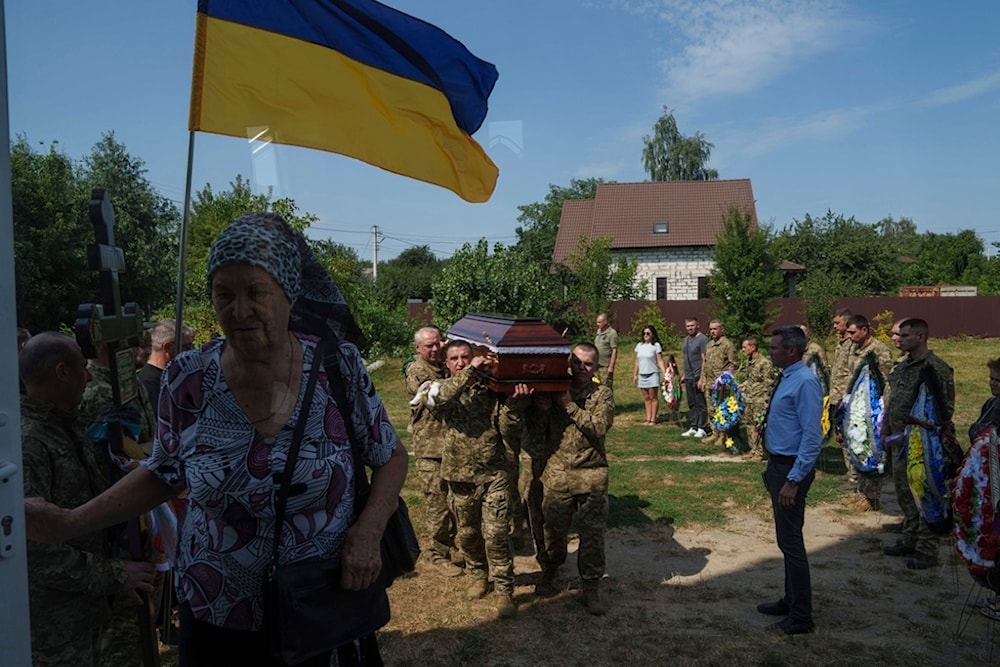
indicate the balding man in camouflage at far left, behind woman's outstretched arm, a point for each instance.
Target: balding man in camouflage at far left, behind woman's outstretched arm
{"x":69,"y":584}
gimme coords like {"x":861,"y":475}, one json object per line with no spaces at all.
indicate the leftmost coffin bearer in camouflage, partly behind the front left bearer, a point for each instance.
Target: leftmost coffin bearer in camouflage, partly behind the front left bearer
{"x":428,"y":448}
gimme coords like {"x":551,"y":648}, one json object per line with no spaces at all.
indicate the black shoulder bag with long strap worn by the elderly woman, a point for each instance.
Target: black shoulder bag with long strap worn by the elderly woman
{"x":306,"y":610}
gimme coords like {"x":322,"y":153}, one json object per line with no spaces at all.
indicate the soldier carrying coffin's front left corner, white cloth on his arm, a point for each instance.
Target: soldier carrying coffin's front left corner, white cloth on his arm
{"x":474,"y":464}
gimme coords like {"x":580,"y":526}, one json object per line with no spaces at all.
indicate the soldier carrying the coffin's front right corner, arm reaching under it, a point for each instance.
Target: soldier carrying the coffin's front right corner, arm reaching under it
{"x":575,"y":478}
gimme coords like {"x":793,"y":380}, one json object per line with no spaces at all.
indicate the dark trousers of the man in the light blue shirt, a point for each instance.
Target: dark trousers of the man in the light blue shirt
{"x":788,"y":531}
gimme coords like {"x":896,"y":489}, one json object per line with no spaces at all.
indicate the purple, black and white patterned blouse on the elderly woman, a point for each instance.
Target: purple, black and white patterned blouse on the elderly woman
{"x":205,"y":443}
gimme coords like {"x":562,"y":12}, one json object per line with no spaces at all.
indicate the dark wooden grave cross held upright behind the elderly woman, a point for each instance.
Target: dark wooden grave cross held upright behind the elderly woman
{"x":116,"y":328}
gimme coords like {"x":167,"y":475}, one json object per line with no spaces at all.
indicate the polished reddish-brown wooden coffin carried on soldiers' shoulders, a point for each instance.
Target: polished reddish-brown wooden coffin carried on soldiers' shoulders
{"x":527,"y":350}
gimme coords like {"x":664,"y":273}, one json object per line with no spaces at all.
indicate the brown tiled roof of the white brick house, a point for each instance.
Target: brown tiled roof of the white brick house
{"x":627,"y":212}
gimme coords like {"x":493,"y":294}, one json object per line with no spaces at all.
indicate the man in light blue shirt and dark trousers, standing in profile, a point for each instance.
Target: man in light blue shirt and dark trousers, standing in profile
{"x":792,"y":438}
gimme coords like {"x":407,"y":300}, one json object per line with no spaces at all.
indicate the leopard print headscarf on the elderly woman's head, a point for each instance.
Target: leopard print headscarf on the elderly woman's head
{"x":265,"y":240}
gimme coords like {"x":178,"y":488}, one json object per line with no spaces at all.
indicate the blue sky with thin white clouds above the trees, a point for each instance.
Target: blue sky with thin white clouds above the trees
{"x":865,"y":108}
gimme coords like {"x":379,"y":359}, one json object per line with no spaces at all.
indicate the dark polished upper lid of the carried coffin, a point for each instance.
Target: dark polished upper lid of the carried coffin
{"x":506,"y":334}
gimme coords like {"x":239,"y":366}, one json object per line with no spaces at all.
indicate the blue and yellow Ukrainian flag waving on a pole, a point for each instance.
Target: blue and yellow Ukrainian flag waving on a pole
{"x":353,"y":77}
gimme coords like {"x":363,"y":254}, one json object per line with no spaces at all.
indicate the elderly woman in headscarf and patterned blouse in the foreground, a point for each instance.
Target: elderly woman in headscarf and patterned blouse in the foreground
{"x":226,"y":416}
